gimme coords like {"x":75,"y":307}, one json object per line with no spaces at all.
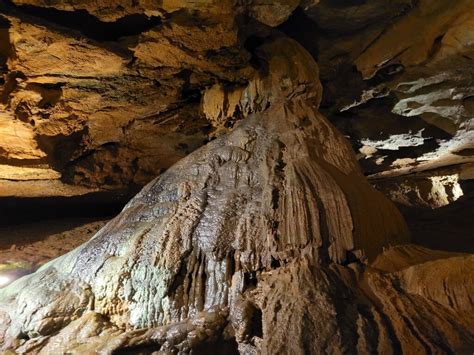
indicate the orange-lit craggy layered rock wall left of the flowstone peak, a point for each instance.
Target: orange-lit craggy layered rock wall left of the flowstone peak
{"x":108,"y":106}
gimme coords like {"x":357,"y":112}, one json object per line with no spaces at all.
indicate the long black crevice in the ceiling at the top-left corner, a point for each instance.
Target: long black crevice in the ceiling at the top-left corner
{"x":87,"y":24}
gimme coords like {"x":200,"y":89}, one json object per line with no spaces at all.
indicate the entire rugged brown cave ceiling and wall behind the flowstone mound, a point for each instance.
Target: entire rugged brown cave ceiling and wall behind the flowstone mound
{"x":74,"y":76}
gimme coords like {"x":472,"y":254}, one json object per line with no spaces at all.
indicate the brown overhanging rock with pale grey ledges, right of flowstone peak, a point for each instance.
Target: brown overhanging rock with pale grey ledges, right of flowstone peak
{"x":407,"y":108}
